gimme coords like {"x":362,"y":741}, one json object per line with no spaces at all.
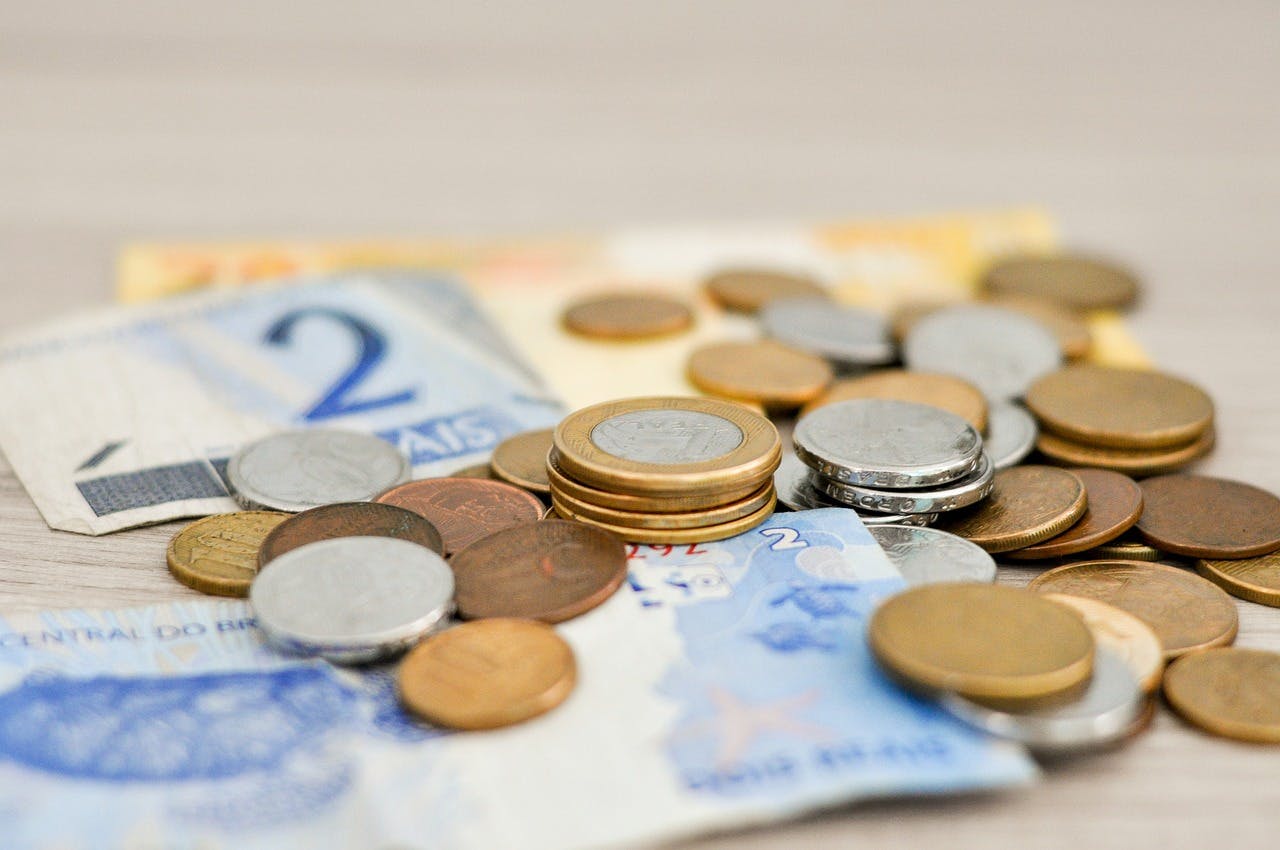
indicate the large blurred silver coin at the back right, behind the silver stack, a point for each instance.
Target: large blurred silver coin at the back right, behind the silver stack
{"x":999,"y":351}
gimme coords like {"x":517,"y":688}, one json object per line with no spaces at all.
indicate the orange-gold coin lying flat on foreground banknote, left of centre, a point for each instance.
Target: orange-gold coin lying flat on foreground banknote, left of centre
{"x":488,"y":674}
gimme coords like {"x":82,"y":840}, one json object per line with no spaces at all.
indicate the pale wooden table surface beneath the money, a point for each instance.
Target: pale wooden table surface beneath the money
{"x":1150,"y":129}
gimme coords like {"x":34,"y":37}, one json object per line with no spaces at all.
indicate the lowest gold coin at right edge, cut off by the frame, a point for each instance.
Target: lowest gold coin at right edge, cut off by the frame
{"x":1235,"y":693}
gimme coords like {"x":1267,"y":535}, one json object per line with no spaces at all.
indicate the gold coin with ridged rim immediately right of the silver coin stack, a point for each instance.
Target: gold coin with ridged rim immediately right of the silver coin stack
{"x":1028,"y":505}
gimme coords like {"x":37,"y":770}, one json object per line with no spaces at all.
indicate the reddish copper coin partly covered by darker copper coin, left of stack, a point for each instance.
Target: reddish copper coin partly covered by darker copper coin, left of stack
{"x":465,"y":510}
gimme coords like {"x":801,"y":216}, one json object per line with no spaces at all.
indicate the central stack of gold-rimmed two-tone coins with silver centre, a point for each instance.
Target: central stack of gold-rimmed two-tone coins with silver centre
{"x":665,"y":469}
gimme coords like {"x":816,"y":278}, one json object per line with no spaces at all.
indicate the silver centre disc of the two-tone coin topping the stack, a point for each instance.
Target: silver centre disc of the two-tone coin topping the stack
{"x":668,"y":437}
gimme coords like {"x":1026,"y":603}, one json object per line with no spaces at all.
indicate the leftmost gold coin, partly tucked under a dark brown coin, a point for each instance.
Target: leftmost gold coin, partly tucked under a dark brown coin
{"x":220,"y":554}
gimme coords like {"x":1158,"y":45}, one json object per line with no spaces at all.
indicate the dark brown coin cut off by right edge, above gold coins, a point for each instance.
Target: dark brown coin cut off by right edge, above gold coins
{"x":1209,"y":518}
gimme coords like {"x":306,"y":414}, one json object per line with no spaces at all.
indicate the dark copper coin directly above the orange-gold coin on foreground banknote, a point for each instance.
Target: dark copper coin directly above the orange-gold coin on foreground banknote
{"x":551,"y":570}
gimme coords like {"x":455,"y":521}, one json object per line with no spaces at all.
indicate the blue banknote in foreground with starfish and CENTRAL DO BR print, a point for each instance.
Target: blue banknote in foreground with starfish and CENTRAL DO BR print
{"x":728,"y":684}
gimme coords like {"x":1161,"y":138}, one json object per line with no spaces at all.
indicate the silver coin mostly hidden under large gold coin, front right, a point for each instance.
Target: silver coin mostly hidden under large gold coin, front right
{"x":1103,"y":715}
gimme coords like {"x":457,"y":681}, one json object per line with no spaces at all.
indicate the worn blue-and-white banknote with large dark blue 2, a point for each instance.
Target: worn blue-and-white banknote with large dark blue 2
{"x":129,"y":417}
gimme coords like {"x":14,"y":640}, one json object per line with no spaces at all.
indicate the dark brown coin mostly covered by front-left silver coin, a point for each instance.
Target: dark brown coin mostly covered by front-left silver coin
{"x":349,"y":520}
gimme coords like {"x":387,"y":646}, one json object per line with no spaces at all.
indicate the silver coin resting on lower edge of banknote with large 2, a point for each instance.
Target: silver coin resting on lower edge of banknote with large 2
{"x":299,"y":470}
